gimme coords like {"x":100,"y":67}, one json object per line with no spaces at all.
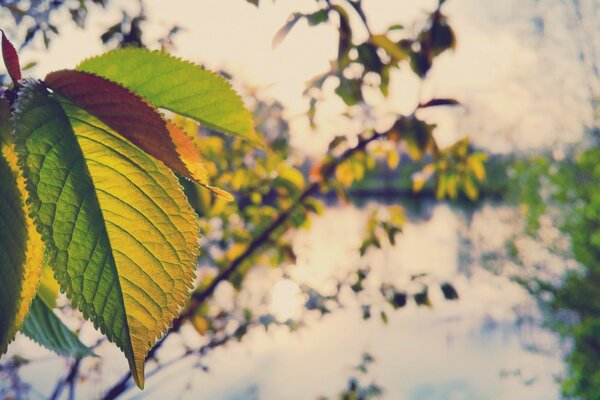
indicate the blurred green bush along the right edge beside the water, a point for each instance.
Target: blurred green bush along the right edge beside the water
{"x":572,"y":186}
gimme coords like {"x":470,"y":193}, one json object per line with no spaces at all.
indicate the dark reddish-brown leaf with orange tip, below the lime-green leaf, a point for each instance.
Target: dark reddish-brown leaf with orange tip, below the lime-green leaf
{"x":131,"y":117}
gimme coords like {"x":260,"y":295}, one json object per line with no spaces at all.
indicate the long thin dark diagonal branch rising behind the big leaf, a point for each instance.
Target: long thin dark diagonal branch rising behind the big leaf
{"x":198,"y":298}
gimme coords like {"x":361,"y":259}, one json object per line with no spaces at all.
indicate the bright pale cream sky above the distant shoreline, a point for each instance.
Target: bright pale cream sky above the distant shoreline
{"x":519,"y":89}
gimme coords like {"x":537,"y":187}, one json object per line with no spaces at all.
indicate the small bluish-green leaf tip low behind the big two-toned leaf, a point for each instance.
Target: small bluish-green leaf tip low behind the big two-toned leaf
{"x":45,"y":328}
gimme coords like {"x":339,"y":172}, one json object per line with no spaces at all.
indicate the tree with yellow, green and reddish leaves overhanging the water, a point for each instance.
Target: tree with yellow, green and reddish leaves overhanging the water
{"x":266,"y":207}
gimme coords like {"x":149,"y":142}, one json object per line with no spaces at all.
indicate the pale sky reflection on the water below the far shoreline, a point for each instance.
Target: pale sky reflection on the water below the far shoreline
{"x":486,"y":345}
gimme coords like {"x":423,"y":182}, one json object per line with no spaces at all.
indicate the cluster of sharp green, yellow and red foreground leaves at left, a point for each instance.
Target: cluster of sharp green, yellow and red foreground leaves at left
{"x":117,"y":229}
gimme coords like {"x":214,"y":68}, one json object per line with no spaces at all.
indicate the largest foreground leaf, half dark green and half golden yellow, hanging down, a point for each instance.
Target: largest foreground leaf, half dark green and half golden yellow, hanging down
{"x":119,"y":232}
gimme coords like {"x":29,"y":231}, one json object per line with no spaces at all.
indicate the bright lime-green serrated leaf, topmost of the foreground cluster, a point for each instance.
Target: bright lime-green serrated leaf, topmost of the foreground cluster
{"x":178,"y":86}
